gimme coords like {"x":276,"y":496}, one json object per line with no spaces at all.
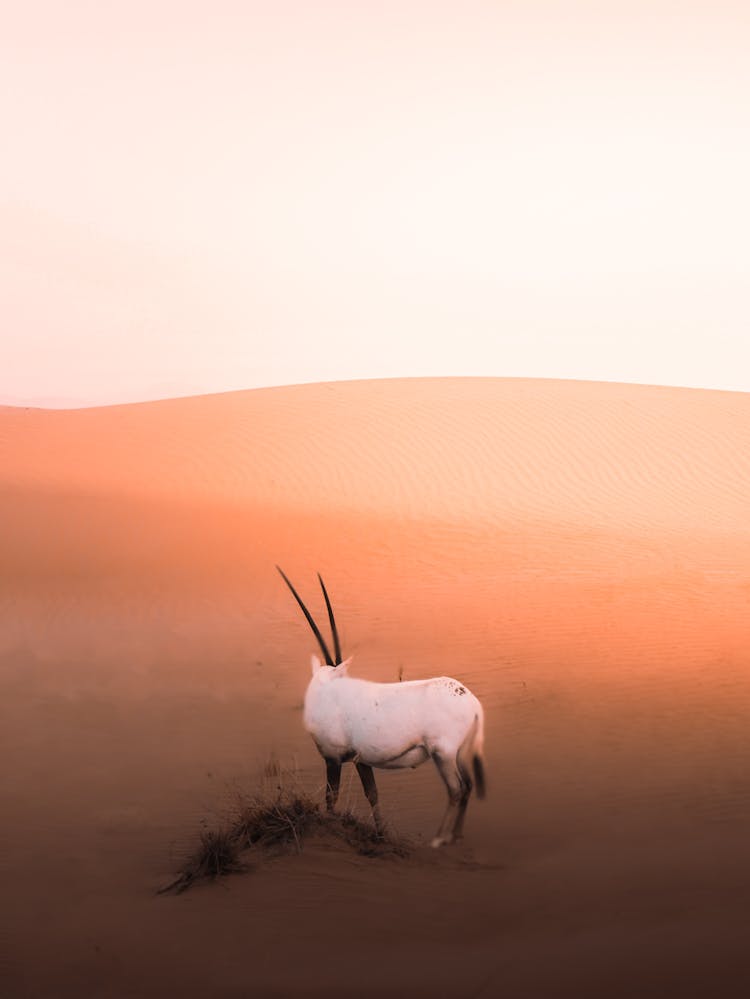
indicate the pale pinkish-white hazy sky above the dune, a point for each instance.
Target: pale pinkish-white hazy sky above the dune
{"x":198,"y":197}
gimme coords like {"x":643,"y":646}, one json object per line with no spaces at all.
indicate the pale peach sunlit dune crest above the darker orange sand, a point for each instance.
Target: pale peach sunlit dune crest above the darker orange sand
{"x":585,"y":452}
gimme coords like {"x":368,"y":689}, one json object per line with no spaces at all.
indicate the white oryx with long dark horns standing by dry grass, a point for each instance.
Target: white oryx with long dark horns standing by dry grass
{"x":391,"y":726}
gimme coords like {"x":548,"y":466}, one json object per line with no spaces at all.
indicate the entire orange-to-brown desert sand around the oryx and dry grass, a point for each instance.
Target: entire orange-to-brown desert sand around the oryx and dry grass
{"x":577,"y":553}
